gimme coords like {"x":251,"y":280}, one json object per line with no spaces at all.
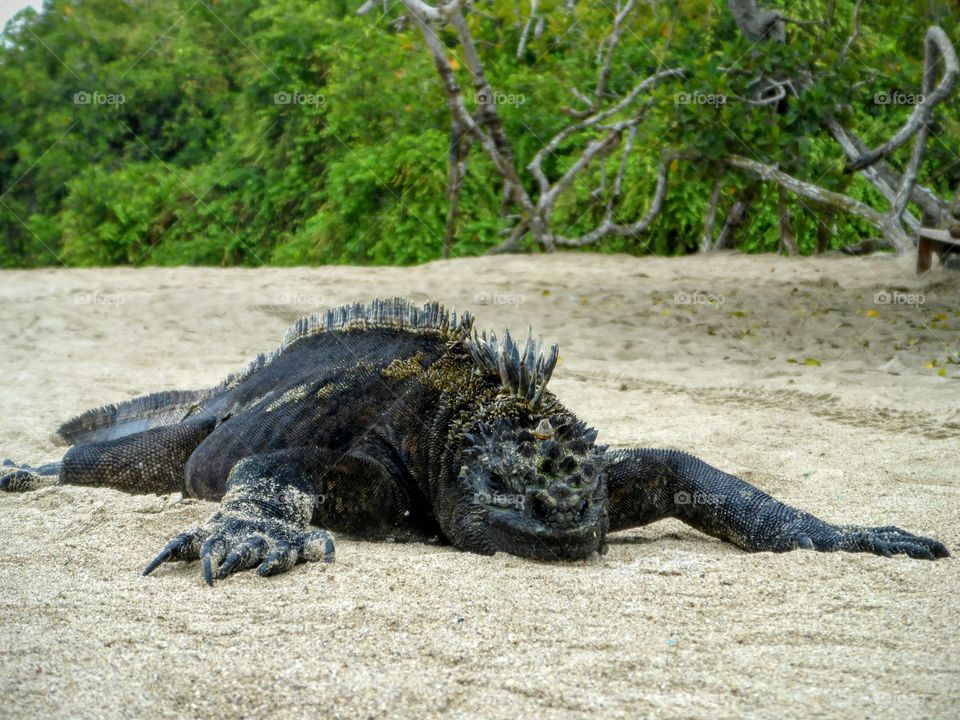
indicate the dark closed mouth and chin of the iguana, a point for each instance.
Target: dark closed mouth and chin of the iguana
{"x":520,"y":534}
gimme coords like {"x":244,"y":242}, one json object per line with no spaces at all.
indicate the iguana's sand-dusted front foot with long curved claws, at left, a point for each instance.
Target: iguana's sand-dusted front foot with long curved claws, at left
{"x":229,"y":543}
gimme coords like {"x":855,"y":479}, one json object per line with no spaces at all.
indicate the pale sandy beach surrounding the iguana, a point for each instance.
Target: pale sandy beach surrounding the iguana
{"x":825,"y":381}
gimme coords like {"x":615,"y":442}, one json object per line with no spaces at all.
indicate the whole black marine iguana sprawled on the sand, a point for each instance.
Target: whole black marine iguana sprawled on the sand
{"x":391,"y":420}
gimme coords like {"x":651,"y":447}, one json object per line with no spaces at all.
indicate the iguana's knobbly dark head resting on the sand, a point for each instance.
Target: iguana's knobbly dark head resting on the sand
{"x":532,"y":487}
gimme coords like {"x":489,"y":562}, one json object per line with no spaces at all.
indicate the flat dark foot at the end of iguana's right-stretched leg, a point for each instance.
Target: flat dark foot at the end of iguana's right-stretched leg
{"x":887,"y":541}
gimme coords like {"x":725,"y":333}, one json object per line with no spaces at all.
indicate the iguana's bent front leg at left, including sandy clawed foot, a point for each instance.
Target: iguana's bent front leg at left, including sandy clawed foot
{"x":262,"y":521}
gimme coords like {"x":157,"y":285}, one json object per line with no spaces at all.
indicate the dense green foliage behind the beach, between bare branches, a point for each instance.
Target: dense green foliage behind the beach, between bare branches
{"x":295,"y":132}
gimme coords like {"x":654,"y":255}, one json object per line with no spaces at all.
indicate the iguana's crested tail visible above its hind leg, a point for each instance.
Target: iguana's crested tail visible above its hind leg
{"x":141,"y":413}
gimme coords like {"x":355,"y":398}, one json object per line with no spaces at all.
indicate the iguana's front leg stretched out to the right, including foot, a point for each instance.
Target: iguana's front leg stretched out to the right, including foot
{"x":648,"y":485}
